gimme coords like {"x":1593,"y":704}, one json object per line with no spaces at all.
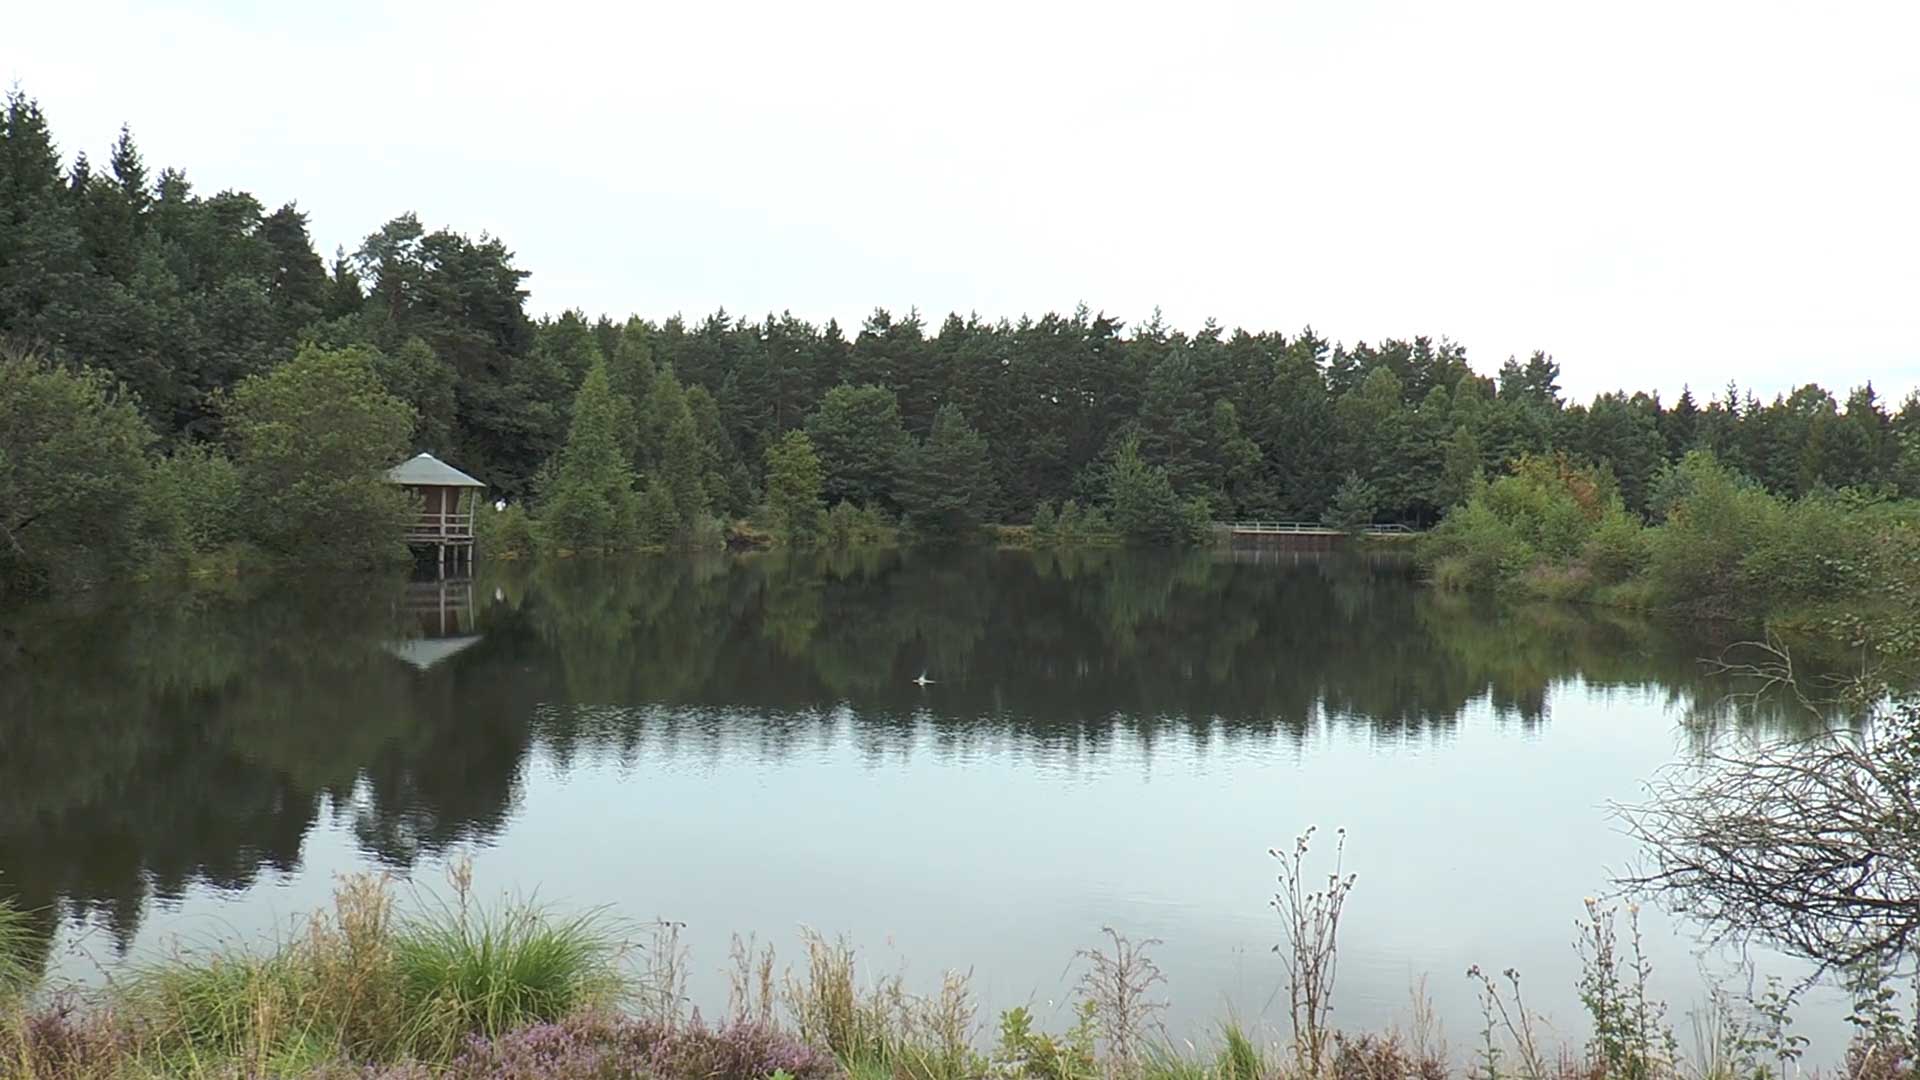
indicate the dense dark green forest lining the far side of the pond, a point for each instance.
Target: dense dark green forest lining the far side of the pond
{"x":126,"y":293}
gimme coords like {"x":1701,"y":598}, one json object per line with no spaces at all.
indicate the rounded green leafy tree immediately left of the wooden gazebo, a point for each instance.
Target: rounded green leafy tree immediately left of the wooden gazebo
{"x":312,"y":441}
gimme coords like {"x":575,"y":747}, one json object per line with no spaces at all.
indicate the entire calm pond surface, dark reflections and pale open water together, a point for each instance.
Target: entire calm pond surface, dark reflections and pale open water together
{"x":742,"y":747}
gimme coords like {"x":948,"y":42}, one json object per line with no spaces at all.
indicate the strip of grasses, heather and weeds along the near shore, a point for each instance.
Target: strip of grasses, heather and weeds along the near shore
{"x":395,"y":989}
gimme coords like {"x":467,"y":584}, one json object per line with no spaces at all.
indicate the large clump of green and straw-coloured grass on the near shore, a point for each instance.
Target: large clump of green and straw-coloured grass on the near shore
{"x":364,"y":983}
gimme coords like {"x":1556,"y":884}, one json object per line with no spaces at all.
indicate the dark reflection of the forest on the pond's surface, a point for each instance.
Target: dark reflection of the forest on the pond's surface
{"x":151,"y":743}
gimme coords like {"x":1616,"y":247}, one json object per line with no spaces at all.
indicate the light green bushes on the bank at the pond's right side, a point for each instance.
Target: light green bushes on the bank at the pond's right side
{"x":1833,"y":564}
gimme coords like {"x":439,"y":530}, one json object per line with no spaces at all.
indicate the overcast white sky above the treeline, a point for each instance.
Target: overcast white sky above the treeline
{"x":1658,"y":193}
